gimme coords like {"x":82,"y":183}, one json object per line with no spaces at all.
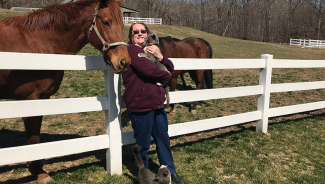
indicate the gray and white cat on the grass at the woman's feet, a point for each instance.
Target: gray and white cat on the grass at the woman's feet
{"x":145,"y":176}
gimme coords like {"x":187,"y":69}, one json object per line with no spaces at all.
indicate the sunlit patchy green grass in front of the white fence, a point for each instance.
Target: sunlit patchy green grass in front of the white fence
{"x":291,"y":152}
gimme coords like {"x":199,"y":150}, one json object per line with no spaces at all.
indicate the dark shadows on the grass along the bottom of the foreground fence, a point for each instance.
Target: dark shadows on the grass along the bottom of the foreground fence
{"x":128,"y":161}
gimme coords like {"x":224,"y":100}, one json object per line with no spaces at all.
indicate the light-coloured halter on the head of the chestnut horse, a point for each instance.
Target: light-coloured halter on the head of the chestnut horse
{"x":106,"y":45}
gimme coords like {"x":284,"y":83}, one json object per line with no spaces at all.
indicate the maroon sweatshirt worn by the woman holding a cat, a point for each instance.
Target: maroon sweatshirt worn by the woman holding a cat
{"x":141,"y":92}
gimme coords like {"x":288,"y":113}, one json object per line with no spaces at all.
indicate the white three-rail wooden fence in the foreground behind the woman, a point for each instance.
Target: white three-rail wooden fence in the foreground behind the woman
{"x":112,"y":103}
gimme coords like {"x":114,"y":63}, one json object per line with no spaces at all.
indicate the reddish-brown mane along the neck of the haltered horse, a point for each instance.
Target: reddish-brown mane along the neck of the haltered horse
{"x":57,"y":16}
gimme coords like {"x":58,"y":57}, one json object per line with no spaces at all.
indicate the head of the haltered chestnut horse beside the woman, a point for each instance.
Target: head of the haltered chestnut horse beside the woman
{"x":106,"y":35}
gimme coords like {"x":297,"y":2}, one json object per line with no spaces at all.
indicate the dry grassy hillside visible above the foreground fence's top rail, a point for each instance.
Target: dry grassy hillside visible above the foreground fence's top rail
{"x":222,"y":47}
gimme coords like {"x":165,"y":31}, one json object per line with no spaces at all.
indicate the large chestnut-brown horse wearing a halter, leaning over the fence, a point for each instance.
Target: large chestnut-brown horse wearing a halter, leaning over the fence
{"x":58,"y":29}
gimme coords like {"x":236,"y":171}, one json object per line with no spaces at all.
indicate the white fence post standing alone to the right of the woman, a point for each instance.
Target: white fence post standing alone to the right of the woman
{"x":264,"y":99}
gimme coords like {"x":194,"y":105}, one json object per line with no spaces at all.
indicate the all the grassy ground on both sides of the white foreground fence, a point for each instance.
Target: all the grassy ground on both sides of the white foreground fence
{"x":291,"y":152}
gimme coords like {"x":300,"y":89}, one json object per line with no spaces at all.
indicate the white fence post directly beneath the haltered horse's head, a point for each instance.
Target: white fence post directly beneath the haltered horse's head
{"x":112,"y":122}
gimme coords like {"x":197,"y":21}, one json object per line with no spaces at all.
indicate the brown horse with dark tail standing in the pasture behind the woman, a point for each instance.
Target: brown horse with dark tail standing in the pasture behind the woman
{"x":188,"y":48}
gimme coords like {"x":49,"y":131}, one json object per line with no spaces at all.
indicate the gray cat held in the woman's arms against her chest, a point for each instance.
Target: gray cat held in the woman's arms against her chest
{"x":152,"y":39}
